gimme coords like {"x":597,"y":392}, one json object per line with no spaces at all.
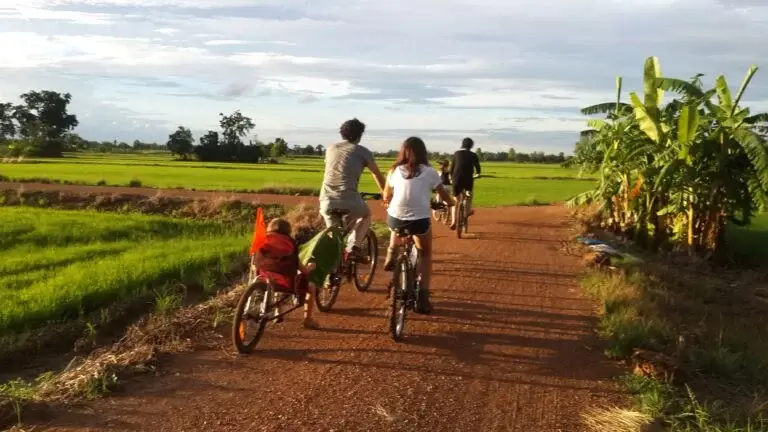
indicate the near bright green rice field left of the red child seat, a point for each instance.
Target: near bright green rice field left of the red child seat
{"x":59,"y":265}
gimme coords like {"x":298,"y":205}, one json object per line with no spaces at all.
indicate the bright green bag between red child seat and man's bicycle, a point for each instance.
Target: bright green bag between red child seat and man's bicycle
{"x":325,"y":250}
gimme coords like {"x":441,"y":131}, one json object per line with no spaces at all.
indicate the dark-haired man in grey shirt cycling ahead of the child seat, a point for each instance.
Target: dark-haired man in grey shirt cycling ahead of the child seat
{"x":344,"y":164}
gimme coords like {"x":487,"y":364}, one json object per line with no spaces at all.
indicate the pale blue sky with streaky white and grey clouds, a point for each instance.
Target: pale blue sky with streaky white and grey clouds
{"x":508,"y":73}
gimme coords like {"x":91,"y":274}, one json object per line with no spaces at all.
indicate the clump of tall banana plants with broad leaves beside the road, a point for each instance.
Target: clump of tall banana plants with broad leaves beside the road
{"x":678,"y":169}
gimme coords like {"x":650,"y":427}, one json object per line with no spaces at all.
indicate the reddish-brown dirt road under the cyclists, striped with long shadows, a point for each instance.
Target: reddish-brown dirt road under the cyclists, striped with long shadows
{"x":509,"y":347}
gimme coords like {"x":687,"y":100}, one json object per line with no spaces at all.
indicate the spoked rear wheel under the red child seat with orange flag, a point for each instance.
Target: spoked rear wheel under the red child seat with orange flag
{"x":250,"y":315}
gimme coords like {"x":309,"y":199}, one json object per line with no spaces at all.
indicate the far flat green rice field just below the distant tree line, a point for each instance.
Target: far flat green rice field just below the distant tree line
{"x":502,"y":183}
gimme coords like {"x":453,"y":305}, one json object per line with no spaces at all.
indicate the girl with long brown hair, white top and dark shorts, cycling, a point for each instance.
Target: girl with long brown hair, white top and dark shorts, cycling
{"x":408,"y":192}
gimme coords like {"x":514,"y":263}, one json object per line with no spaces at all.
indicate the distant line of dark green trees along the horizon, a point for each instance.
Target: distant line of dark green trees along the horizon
{"x":41,"y":126}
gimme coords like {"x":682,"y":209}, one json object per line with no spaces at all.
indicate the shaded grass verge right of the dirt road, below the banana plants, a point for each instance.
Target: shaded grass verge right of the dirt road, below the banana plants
{"x":694,"y":340}
